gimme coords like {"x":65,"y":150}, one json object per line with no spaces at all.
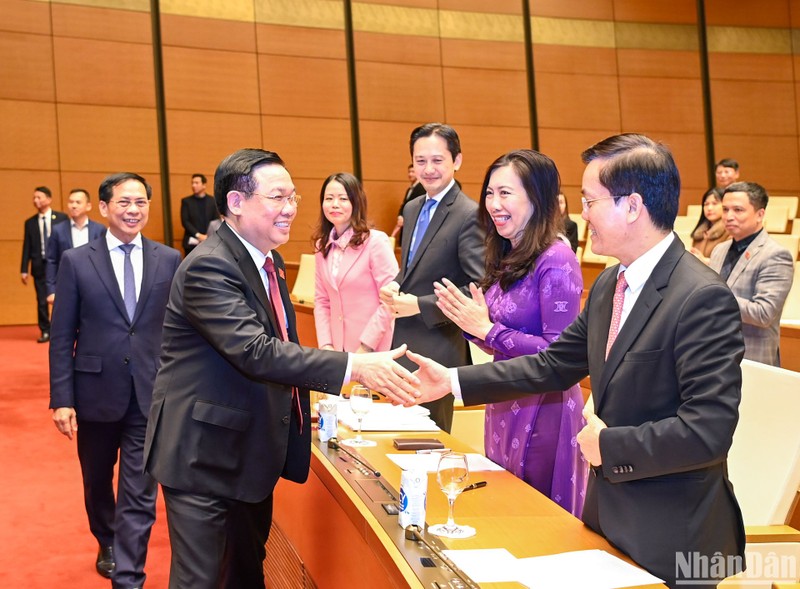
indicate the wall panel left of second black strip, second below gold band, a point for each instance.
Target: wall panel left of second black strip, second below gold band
{"x":303,"y":86}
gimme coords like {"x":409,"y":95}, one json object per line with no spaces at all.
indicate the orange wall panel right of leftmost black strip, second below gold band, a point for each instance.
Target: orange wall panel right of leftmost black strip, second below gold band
{"x":210,"y":80}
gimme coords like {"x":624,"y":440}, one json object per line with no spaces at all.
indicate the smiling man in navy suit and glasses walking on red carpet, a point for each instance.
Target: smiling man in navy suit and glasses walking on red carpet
{"x":111,"y":296}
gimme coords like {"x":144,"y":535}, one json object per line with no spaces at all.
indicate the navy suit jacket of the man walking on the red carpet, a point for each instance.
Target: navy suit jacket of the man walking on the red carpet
{"x":96,"y":353}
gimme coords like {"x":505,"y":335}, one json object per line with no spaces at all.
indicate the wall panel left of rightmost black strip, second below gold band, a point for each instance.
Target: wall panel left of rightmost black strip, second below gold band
{"x":661,"y":104}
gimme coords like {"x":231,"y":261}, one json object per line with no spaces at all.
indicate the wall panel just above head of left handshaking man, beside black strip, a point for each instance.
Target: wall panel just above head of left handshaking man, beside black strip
{"x":200,"y":140}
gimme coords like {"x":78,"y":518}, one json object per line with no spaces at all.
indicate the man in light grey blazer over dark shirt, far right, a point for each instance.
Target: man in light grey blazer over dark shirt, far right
{"x":757,"y":269}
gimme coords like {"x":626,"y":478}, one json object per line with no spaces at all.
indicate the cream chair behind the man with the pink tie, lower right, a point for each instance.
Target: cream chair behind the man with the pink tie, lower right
{"x":764,"y":467}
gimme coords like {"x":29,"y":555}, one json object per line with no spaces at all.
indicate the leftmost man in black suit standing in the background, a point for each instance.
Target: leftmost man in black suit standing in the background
{"x":34,"y":245}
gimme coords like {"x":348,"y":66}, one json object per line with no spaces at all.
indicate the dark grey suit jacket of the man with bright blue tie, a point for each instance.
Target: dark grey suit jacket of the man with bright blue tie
{"x":453,"y":248}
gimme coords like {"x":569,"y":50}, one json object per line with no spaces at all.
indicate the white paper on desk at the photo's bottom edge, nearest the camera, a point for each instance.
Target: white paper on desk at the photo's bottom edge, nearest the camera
{"x":583,"y":569}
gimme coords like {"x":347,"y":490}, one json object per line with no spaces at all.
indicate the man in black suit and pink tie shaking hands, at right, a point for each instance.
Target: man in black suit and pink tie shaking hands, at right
{"x":660,"y":336}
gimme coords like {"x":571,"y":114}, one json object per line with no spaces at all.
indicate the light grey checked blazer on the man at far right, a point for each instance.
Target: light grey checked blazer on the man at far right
{"x":760,"y":281}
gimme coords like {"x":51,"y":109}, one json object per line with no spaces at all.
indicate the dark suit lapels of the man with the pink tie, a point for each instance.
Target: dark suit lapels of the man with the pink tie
{"x":646,"y":304}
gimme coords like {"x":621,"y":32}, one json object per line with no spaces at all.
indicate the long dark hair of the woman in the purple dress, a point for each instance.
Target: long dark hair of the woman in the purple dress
{"x":540,"y":179}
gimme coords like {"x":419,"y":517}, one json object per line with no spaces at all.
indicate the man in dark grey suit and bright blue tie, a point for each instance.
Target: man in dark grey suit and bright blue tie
{"x":442,"y":239}
